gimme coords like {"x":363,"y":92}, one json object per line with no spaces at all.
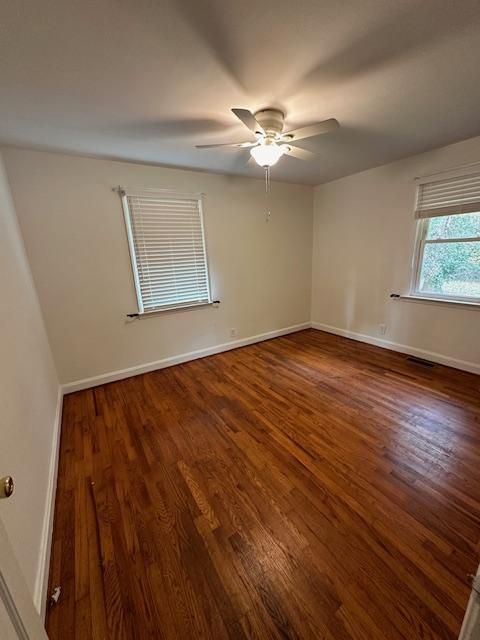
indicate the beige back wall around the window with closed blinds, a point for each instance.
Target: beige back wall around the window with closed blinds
{"x":74,"y":233}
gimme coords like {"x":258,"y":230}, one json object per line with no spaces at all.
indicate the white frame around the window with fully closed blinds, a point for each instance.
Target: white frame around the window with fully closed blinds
{"x":198,"y":197}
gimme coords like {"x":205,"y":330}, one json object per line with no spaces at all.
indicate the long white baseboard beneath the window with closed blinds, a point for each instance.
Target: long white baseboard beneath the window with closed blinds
{"x":121,"y":374}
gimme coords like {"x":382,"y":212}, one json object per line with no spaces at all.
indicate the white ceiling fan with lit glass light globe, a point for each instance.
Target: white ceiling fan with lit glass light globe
{"x":271,"y":142}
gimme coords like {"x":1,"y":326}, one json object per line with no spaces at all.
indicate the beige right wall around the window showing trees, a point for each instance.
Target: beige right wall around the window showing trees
{"x":363,"y":245}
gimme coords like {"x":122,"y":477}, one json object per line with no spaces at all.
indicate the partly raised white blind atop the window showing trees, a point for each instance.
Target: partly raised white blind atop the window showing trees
{"x":449,"y":197}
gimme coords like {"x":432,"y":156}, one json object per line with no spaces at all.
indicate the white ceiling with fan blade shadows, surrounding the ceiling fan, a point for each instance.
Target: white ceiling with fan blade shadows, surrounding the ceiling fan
{"x":147,"y":79}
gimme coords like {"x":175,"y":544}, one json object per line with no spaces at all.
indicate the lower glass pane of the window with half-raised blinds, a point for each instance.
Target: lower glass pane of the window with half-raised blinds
{"x":451,"y":268}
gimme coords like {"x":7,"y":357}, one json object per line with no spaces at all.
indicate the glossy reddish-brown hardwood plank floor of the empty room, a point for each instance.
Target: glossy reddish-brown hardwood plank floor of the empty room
{"x":305,"y":487}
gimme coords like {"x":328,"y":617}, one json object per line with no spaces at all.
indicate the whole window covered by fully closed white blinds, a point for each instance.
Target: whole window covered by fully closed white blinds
{"x":167,"y":248}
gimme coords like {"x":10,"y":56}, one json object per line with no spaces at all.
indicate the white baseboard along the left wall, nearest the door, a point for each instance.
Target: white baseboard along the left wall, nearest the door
{"x":41,"y":582}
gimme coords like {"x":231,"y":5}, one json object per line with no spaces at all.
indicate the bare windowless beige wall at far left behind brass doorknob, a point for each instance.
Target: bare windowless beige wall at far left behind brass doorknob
{"x":28,"y":398}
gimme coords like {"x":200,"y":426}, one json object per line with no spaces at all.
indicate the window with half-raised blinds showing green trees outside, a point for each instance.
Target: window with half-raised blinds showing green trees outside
{"x":447,"y":261}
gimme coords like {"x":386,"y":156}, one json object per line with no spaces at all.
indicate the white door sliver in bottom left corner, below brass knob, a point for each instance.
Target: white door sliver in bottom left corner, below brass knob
{"x":19,"y":620}
